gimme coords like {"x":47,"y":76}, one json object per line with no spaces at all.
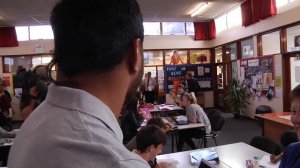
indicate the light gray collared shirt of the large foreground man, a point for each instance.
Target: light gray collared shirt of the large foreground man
{"x":71,"y":129}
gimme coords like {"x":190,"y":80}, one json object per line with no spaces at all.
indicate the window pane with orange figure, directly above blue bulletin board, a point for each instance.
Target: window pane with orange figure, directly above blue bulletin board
{"x":175,"y":57}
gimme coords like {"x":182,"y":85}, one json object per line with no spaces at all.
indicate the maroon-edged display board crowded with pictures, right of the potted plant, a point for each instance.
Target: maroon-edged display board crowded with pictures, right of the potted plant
{"x":258,"y":75}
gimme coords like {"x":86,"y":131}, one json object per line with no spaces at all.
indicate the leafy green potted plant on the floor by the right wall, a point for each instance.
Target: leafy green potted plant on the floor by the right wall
{"x":237,"y":98}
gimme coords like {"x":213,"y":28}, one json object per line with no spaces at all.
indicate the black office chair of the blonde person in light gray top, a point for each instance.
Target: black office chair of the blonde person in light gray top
{"x":217,"y":122}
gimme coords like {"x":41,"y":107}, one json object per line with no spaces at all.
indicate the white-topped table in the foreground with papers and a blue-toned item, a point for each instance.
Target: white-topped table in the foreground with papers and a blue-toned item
{"x":232,"y":155}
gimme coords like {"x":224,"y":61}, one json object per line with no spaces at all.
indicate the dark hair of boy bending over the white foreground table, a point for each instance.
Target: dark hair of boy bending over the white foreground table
{"x":150,"y":135}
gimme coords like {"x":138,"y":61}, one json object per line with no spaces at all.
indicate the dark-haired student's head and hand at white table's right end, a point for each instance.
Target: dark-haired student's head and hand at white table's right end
{"x":286,"y":139}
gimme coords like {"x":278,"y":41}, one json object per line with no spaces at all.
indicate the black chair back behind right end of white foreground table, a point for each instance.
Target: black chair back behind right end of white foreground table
{"x":266,"y":145}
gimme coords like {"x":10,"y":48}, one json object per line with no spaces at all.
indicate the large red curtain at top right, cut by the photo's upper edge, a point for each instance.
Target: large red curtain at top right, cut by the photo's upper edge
{"x":256,"y":10}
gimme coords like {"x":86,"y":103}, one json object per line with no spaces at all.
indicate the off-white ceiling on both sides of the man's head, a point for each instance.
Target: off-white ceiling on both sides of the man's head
{"x":35,"y":12}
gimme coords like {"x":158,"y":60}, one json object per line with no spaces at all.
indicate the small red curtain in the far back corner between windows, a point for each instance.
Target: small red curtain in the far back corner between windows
{"x":205,"y":30}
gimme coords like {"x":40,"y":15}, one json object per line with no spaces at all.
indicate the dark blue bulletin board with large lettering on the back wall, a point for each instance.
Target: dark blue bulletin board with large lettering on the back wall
{"x":175,"y":74}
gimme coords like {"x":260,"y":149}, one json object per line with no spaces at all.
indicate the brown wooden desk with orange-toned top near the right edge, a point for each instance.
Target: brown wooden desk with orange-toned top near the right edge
{"x":274,"y":125}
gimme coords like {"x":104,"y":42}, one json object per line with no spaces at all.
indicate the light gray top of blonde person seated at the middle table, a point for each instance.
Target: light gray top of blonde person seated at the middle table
{"x":194,"y":110}
